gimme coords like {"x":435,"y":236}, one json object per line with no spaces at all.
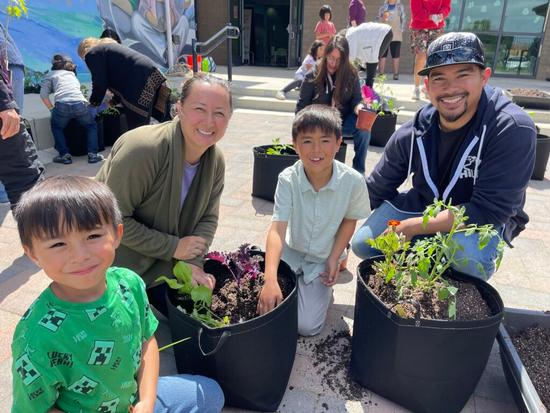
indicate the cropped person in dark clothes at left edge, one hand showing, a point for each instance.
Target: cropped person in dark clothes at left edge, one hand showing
{"x":20,"y":168}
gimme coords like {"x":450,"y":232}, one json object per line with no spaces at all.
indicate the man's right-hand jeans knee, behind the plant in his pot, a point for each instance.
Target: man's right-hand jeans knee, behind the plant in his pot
{"x":473,"y":261}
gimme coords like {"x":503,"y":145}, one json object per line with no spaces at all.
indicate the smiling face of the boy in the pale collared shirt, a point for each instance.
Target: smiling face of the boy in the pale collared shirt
{"x":317,"y":151}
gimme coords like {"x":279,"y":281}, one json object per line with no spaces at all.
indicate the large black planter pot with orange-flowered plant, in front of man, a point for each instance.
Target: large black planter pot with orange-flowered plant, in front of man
{"x":424,"y":365}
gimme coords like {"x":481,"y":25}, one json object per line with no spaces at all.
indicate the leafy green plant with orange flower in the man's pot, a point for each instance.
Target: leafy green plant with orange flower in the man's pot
{"x":422,"y":265}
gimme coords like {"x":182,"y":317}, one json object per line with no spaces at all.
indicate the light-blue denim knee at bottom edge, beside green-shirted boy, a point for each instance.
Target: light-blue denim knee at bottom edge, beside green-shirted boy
{"x":185,"y":393}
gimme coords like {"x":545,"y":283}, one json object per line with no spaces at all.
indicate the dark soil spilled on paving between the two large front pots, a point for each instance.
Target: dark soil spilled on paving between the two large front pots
{"x":331,"y":359}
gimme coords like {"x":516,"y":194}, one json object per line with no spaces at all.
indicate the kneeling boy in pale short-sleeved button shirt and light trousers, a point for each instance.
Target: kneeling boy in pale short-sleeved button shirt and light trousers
{"x":318,"y":201}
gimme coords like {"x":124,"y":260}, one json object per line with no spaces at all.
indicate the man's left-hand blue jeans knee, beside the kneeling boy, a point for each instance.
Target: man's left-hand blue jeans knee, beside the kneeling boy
{"x":375,"y":224}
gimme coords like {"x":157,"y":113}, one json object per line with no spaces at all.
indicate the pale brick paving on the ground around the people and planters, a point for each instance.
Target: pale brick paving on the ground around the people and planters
{"x":523,"y":280}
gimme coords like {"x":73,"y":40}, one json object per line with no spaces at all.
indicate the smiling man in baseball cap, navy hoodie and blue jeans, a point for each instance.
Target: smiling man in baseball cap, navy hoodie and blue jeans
{"x":471,"y":146}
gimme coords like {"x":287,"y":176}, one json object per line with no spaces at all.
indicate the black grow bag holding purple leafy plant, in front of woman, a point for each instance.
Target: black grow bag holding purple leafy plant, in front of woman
{"x":251,"y":361}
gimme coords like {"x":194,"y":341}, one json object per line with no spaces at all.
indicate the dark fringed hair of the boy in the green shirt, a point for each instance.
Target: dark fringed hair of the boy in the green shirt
{"x":65,"y":203}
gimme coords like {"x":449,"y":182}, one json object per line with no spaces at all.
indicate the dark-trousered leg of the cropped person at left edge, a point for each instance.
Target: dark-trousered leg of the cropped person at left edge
{"x":20,"y":168}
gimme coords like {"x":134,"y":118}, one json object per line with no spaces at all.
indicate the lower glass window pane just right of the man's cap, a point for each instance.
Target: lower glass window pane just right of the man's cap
{"x":517,"y":55}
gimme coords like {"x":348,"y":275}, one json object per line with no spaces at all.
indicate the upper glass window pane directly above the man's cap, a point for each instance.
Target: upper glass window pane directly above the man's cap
{"x":482,"y":15}
